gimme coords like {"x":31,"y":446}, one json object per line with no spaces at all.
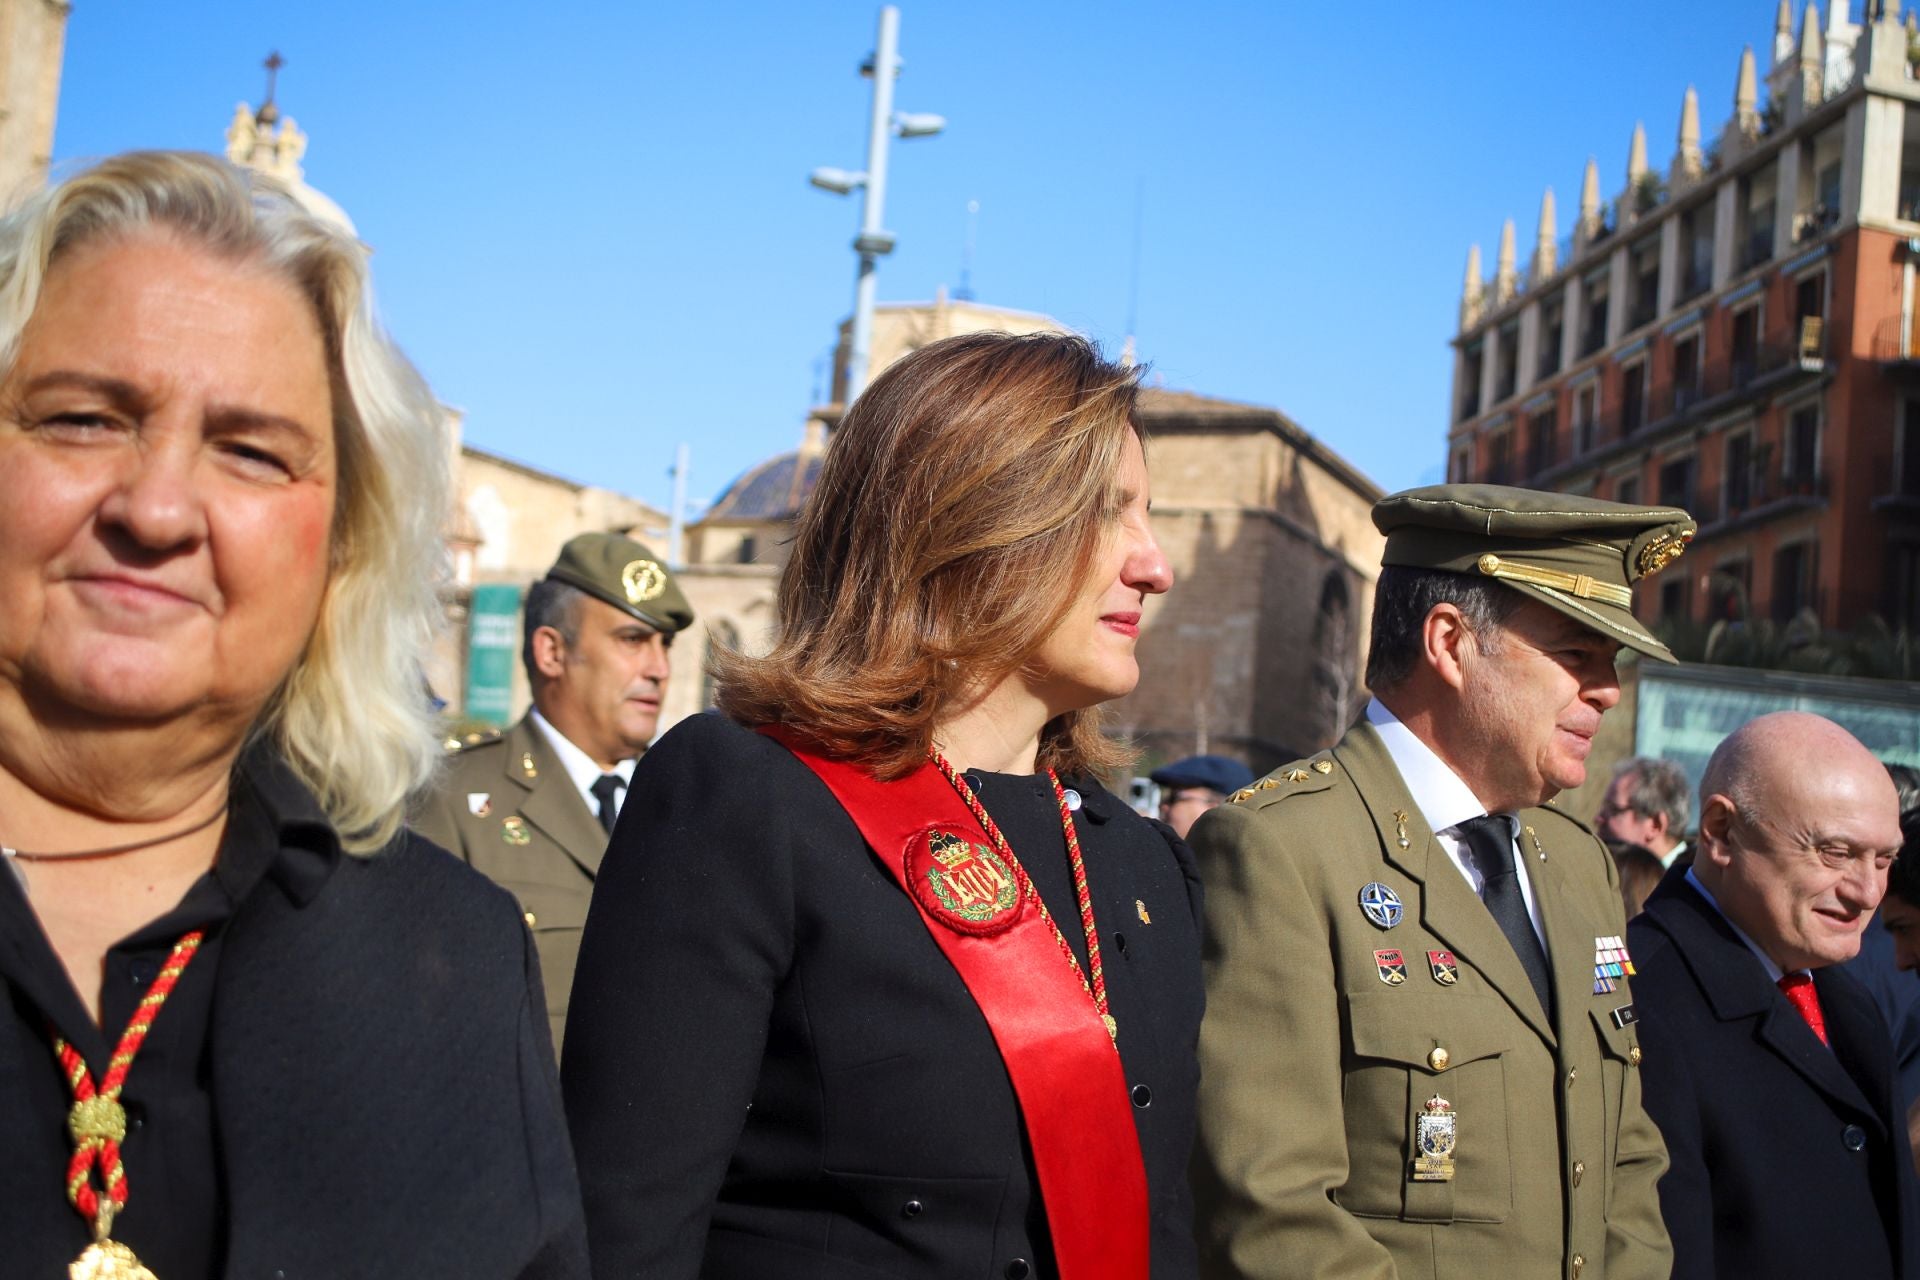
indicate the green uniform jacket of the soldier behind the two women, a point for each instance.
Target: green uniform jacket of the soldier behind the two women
{"x":508,"y":807}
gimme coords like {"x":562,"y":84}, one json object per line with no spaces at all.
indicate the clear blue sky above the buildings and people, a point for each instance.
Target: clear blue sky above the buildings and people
{"x":592,"y":225}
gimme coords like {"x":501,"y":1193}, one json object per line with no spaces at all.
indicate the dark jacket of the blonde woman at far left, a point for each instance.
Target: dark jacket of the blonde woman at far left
{"x":379,"y":1068}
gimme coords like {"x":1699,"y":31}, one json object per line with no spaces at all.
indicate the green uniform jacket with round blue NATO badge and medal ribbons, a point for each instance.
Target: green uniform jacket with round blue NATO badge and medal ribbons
{"x":1314,"y":1066}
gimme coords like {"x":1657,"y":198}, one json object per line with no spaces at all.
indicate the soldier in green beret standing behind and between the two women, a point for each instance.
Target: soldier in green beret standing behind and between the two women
{"x":533,"y":809}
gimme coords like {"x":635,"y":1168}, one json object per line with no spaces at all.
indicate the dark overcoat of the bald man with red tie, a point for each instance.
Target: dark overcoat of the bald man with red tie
{"x":1788,"y":1160}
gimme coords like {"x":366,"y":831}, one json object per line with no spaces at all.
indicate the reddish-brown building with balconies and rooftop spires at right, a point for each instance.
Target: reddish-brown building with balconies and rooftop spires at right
{"x":1735,"y":337}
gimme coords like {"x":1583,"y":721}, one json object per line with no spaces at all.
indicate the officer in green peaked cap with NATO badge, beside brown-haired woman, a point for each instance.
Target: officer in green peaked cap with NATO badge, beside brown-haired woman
{"x":1420,"y":1055}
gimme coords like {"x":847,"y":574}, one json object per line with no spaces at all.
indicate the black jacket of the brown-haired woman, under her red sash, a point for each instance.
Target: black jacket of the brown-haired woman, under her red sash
{"x":775,"y":1072}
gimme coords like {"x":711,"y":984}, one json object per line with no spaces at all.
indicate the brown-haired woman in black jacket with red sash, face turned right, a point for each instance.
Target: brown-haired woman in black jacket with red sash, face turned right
{"x":878,"y":980}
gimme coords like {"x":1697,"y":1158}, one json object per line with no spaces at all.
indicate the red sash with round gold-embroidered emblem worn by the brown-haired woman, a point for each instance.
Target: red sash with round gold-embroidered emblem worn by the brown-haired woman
{"x":1063,"y":1064}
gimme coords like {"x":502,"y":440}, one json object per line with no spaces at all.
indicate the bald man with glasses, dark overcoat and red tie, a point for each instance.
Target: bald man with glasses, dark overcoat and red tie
{"x":1769,"y":1070}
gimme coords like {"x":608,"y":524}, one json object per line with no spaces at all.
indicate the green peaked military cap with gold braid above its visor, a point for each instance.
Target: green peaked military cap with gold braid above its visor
{"x":1572,"y":554}
